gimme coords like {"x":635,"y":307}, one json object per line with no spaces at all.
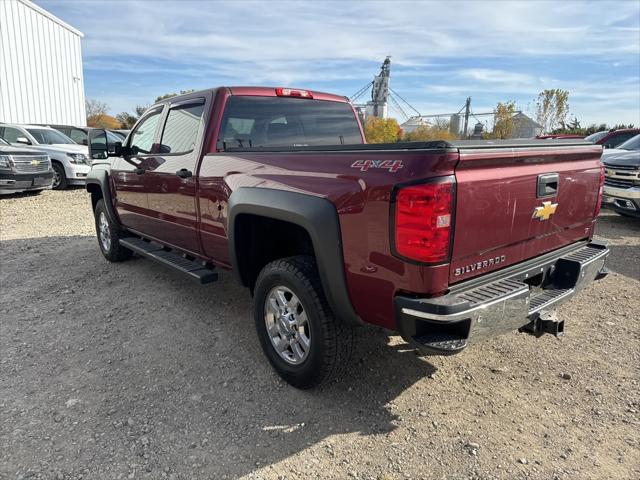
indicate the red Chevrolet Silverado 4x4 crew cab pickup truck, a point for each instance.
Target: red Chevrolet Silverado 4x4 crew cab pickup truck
{"x":445,"y":242}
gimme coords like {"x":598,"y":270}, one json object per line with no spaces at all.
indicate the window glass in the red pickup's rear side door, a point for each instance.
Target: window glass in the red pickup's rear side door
{"x":181,"y":130}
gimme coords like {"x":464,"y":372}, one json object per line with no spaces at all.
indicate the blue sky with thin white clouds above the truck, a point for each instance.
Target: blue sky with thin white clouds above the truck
{"x":441,"y":52}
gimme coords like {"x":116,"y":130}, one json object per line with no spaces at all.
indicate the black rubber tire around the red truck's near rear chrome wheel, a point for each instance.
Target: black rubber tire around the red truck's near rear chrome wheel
{"x":330,"y":341}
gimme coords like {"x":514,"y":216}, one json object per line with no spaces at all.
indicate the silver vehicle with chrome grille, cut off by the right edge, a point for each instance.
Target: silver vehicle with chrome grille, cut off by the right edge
{"x":622,"y":182}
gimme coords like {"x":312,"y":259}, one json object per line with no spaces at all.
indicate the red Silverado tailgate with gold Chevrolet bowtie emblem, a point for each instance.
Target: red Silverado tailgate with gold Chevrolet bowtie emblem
{"x":514,"y":203}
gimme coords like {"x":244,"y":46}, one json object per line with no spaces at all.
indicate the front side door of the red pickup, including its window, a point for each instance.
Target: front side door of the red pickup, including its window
{"x":128,"y":173}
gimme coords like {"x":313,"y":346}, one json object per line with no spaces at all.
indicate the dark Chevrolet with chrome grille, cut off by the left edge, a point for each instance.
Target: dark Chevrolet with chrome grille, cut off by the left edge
{"x":23,"y":169}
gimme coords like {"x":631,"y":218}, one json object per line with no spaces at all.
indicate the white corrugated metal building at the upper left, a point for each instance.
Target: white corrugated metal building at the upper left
{"x":41,"y":77}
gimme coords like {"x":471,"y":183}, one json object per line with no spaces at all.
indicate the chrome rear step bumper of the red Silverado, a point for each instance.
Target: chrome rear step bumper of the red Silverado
{"x":500,"y":302}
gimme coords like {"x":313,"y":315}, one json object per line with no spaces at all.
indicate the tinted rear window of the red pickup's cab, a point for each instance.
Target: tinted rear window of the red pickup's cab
{"x":287,"y":122}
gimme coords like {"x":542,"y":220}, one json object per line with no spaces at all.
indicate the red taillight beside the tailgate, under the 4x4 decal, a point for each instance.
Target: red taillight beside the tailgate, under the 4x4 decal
{"x":423,"y":221}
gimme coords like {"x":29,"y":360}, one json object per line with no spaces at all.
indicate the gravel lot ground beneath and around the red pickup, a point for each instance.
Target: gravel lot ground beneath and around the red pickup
{"x":129,"y":371}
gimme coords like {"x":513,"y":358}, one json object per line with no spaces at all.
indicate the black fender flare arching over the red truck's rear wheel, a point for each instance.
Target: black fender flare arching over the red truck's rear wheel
{"x":318,"y":216}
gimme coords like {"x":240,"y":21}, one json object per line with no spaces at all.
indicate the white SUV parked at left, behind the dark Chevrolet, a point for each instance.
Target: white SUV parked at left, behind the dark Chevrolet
{"x":70,"y":161}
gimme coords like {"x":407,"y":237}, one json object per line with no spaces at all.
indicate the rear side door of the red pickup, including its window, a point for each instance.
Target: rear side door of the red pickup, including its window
{"x":170,"y":179}
